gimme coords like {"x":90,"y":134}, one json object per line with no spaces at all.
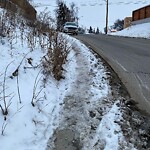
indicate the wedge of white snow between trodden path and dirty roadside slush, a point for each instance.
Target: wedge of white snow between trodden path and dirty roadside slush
{"x":107,"y":128}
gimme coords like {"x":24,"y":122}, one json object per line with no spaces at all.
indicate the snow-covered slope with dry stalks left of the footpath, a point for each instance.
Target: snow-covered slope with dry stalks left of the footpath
{"x":22,"y":125}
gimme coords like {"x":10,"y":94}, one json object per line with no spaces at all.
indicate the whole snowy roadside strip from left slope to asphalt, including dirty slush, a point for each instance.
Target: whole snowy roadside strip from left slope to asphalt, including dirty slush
{"x":97,"y":112}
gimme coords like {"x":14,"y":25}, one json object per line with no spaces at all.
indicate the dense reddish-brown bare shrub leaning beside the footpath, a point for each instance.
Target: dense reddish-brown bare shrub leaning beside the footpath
{"x":56,"y":56}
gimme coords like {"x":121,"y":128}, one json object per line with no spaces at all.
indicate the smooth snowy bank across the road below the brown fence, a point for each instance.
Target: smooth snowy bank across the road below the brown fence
{"x":138,"y":31}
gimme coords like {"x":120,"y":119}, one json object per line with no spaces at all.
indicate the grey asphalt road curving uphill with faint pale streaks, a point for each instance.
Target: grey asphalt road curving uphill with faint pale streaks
{"x":130,"y":59}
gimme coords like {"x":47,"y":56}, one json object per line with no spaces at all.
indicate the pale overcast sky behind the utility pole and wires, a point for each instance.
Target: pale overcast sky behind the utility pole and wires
{"x":93,"y":12}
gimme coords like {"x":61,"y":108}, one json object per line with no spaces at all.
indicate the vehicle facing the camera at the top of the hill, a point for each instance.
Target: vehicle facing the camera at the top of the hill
{"x":70,"y":28}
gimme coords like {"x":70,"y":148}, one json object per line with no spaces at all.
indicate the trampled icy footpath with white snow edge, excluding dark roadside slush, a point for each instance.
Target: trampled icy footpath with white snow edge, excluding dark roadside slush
{"x":87,"y":108}
